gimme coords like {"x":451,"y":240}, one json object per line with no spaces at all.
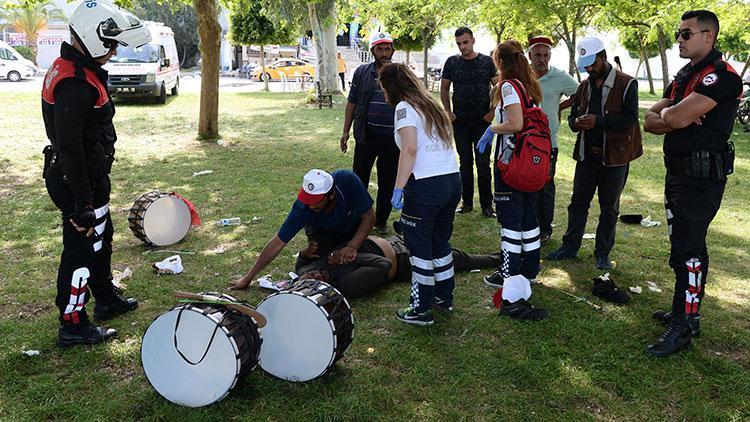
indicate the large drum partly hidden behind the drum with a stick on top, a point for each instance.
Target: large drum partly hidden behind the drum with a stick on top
{"x":310,"y":326}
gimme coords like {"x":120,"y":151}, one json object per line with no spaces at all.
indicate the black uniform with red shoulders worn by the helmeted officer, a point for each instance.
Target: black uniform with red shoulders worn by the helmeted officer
{"x":78,"y":116}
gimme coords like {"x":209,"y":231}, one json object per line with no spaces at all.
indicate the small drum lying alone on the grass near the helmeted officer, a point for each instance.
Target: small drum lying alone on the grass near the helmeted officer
{"x":159,"y":218}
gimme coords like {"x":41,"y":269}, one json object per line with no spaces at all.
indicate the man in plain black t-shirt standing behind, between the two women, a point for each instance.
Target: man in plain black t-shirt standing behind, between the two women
{"x":471,"y":74}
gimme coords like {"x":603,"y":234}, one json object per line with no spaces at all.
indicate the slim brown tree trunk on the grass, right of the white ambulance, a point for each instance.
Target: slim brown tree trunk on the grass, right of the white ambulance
{"x":209,"y":31}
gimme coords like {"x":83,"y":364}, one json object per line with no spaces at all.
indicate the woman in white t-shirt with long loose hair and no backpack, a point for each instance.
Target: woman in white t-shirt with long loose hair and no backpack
{"x":428,"y":188}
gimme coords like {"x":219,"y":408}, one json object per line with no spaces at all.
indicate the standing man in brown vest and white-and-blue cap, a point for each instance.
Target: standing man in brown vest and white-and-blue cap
{"x":605,"y":117}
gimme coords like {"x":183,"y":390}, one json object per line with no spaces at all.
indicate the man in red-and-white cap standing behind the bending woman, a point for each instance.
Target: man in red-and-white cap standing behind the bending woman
{"x":373,"y":127}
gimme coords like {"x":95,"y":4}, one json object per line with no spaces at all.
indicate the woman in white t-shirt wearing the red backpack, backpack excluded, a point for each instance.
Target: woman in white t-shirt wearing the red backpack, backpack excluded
{"x":516,"y":210}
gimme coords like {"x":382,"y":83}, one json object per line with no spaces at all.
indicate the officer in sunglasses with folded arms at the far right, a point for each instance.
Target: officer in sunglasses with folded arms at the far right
{"x":696,"y":117}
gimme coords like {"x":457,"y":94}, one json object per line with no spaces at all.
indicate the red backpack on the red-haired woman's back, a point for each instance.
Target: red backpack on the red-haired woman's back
{"x":529,"y":166}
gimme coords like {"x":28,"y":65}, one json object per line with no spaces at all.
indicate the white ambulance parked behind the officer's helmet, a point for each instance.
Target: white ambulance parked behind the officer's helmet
{"x":152,"y":70}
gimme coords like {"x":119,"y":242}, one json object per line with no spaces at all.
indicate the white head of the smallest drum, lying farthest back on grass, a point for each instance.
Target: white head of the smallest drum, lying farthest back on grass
{"x":167,"y":221}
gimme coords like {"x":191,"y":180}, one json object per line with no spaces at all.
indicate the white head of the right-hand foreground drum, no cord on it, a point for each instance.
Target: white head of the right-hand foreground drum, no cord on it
{"x":298,"y":341}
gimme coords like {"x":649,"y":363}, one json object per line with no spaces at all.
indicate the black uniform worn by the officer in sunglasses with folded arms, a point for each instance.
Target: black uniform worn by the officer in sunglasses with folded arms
{"x":698,"y":159}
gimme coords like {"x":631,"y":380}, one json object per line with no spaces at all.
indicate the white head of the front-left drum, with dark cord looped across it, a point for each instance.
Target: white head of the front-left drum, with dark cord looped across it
{"x":174,"y":378}
